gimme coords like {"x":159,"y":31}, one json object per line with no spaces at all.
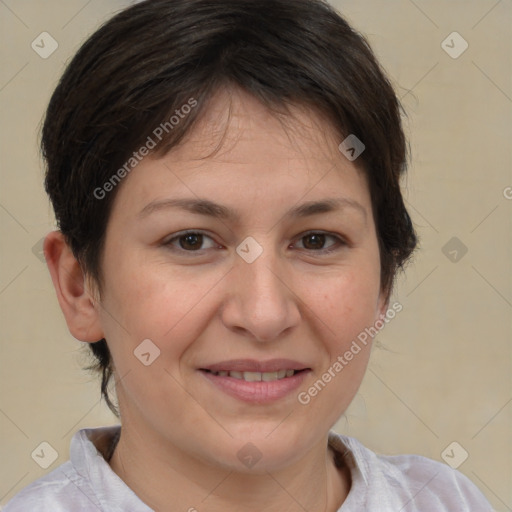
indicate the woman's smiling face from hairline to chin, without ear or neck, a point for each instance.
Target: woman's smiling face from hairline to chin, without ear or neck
{"x":265,"y":285}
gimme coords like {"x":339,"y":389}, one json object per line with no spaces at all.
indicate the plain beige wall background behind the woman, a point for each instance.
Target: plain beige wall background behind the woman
{"x":440,"y":372}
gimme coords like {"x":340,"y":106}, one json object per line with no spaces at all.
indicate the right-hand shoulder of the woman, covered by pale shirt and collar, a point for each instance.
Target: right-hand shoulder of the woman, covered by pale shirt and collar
{"x":411,"y":482}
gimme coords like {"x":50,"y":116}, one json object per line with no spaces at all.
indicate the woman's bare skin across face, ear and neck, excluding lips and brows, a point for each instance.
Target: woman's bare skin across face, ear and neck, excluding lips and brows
{"x":180,"y":434}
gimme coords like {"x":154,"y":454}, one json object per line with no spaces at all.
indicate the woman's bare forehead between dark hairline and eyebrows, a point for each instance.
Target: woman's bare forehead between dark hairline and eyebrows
{"x":239,"y":152}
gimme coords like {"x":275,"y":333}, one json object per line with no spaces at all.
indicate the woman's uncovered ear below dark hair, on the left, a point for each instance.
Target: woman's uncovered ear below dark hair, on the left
{"x":76,"y":302}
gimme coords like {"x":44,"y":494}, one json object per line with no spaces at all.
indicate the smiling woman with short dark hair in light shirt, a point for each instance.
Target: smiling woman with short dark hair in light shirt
{"x":225,"y":176}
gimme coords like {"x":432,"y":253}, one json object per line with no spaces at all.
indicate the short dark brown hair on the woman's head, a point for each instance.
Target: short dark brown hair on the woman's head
{"x":148,"y":60}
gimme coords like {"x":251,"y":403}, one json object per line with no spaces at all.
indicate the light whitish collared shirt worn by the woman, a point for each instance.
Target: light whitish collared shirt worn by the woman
{"x":403,"y":483}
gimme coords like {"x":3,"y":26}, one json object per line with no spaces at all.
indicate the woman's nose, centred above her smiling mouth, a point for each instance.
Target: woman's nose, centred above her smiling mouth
{"x":260,"y":302}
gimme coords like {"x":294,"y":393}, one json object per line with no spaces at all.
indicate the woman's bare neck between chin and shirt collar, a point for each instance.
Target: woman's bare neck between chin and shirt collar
{"x":161,"y":477}
